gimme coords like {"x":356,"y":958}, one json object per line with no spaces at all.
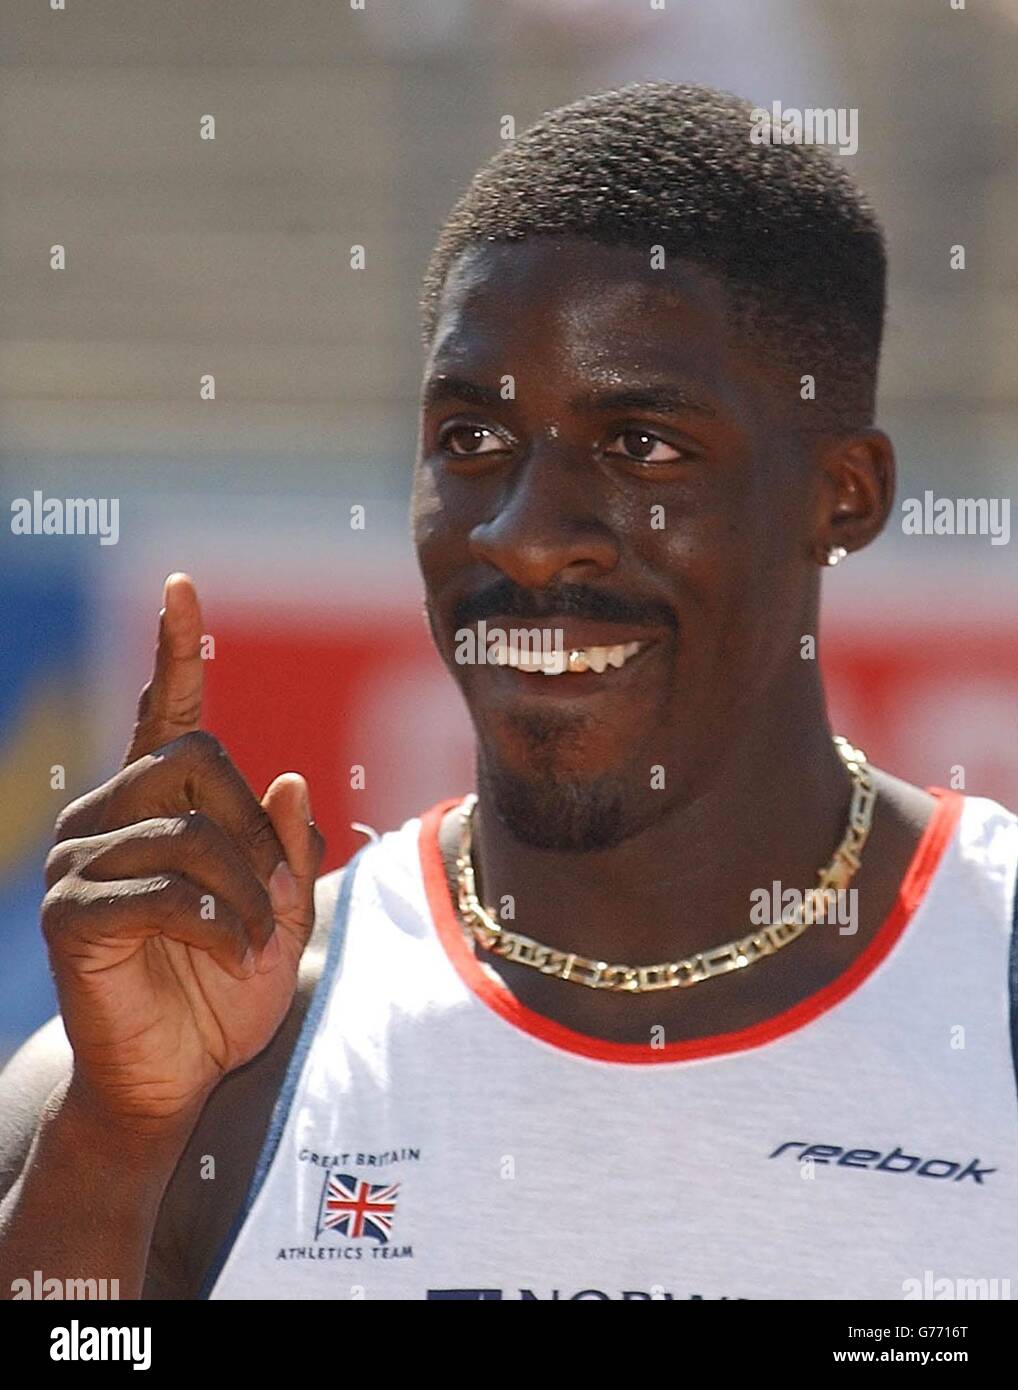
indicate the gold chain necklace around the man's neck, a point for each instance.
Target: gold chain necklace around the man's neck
{"x":482,"y":929}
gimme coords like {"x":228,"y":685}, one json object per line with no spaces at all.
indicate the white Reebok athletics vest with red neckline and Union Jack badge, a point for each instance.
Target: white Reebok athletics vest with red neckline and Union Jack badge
{"x":435,"y":1139}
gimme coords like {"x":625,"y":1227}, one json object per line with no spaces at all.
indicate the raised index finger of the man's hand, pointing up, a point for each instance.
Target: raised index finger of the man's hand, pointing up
{"x":172,"y":703}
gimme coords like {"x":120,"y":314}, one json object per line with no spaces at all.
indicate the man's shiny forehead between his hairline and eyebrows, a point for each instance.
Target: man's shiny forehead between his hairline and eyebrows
{"x":582,"y":306}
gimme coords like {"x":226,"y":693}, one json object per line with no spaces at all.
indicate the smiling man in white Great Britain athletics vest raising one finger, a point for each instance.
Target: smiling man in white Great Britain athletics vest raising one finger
{"x":547,"y":1046}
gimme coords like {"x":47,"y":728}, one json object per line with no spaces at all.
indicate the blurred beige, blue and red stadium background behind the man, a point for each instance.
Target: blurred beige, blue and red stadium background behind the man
{"x":340,"y":127}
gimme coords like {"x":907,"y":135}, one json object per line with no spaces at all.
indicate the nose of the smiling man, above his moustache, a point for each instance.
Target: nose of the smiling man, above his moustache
{"x":544,"y":528}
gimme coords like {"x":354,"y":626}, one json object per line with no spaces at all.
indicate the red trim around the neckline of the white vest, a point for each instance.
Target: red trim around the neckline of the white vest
{"x":914,"y":885}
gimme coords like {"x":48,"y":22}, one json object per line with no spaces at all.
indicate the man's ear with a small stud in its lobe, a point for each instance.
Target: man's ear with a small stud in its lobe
{"x":856,"y":491}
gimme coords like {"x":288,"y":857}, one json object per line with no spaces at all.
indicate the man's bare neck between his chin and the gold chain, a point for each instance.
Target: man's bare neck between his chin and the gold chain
{"x":775,"y":810}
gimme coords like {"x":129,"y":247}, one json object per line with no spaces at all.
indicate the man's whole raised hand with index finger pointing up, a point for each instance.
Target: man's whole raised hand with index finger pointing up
{"x":179,"y":906}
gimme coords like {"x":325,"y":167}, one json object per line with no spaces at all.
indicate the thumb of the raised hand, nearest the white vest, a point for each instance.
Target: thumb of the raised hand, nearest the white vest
{"x":291,"y":888}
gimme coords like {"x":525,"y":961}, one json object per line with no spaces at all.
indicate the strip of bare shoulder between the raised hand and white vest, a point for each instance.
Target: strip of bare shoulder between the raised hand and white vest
{"x":211,"y":1182}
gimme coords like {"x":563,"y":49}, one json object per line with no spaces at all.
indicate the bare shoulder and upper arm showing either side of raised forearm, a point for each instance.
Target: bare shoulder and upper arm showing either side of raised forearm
{"x":212,"y":1178}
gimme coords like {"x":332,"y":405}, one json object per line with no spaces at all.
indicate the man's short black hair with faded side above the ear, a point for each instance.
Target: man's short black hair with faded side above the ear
{"x":659,"y":163}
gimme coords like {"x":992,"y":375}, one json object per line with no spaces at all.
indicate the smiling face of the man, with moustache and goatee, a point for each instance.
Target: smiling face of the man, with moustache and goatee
{"x":599,"y":457}
